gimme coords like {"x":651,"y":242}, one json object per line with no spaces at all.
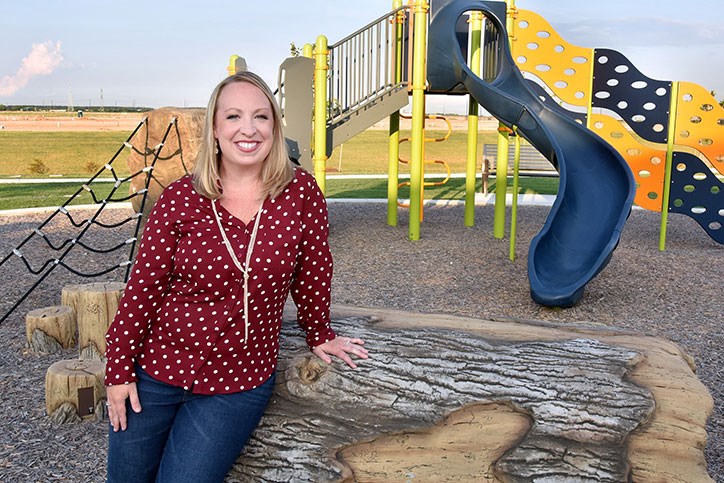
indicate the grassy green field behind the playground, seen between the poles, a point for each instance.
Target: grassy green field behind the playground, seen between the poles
{"x":27,"y":155}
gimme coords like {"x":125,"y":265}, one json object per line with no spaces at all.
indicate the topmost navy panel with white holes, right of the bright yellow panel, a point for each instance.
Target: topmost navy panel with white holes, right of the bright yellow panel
{"x":642,"y":102}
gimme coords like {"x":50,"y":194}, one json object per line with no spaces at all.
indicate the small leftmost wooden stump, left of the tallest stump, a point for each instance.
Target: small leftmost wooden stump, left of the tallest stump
{"x":51,"y":329}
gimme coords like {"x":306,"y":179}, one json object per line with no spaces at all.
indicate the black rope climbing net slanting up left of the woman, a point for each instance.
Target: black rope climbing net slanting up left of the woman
{"x":64,"y":240}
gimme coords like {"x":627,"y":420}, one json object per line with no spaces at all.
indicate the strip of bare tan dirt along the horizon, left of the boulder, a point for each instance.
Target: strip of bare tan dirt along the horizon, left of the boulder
{"x":49,"y":121}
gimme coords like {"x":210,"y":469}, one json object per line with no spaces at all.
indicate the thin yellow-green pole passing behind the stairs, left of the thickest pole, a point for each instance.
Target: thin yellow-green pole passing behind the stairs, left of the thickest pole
{"x":393,"y":170}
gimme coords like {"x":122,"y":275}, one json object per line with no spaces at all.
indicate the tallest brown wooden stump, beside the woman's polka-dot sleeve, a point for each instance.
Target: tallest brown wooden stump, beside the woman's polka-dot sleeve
{"x":95,"y":305}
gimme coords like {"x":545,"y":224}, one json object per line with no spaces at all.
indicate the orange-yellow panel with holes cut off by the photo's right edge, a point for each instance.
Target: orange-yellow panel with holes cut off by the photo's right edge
{"x":700,"y":123}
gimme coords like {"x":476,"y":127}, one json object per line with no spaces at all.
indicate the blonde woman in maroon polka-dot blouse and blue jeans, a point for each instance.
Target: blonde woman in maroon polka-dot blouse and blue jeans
{"x":192,"y":351}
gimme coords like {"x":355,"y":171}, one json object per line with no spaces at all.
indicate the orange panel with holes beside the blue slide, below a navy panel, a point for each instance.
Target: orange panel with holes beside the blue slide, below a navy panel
{"x":646,"y":163}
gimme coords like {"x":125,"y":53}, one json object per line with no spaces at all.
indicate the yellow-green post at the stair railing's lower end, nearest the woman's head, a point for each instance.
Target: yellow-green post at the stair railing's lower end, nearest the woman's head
{"x":320,"y":111}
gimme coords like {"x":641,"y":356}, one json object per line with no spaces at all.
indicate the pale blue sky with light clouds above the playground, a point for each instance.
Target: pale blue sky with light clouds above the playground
{"x":156,"y":53}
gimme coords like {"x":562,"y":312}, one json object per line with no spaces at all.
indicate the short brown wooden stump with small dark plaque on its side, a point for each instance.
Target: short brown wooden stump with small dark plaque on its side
{"x":74,"y":390}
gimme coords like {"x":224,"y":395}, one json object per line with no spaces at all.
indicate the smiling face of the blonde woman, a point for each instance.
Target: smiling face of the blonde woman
{"x":244,"y":127}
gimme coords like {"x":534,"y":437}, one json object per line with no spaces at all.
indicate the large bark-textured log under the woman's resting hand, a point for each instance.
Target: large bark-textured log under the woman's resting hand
{"x":475,"y":400}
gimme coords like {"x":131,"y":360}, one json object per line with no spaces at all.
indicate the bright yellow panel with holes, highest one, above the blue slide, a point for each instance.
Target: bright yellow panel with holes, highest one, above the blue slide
{"x":539,"y":50}
